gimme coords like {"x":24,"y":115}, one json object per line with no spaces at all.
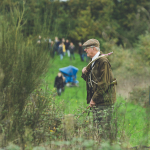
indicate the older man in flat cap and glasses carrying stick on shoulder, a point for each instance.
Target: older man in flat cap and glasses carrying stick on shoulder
{"x":101,"y":93}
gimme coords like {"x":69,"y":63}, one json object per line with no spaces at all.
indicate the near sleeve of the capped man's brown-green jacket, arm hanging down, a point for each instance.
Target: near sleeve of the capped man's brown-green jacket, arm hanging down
{"x":103,"y":84}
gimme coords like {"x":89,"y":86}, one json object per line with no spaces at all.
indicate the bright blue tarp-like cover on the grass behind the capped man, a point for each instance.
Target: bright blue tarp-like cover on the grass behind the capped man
{"x":69,"y":73}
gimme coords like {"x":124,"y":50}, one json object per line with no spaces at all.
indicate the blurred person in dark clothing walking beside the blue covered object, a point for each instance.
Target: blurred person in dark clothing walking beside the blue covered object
{"x":59,"y":83}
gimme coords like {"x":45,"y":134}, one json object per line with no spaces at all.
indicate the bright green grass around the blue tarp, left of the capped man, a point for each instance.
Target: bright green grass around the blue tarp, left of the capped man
{"x":72,"y":96}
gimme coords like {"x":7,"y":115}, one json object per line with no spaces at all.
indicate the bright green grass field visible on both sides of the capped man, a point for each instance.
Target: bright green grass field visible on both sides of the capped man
{"x":132,"y":119}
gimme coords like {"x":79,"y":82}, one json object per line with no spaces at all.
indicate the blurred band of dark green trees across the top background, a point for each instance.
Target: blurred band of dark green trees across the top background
{"x":80,"y":20}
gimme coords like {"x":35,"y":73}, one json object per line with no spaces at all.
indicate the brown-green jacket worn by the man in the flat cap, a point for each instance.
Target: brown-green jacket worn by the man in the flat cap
{"x":101,"y":92}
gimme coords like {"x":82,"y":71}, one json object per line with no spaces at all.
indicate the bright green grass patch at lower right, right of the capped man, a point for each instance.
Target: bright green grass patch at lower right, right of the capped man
{"x":132,"y":123}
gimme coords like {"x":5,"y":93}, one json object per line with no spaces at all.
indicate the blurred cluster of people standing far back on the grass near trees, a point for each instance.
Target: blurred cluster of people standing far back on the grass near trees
{"x":63,"y":47}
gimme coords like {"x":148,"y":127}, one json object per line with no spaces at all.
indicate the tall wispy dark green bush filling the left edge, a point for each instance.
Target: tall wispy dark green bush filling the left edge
{"x":23,"y":62}
